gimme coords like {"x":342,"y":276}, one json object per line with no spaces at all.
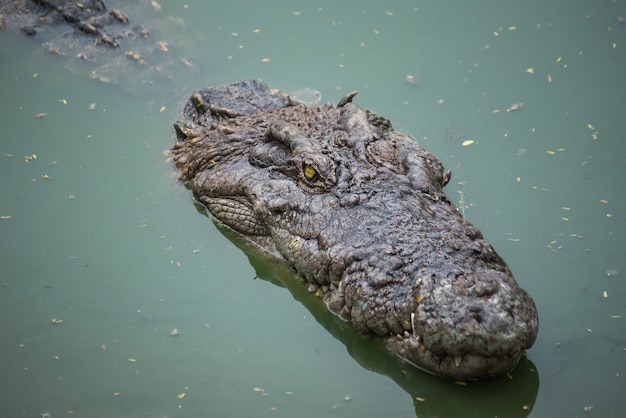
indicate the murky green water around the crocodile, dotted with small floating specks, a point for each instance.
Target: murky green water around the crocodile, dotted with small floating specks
{"x":97,"y":233}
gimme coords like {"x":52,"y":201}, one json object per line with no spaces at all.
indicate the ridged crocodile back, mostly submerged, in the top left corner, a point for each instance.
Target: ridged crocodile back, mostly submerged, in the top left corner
{"x":107,"y":43}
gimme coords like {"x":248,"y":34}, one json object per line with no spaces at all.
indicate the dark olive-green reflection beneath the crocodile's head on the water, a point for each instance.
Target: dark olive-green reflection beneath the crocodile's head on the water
{"x":504,"y":396}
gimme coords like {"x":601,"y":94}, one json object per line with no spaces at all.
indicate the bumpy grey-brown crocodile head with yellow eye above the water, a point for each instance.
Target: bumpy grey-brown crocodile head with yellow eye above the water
{"x":357,"y":210}
